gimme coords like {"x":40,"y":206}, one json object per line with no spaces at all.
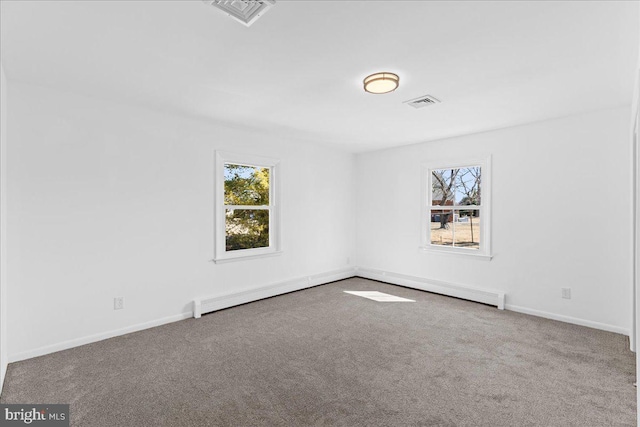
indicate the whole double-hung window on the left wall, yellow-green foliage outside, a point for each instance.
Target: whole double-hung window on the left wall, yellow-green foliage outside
{"x":247,"y":214}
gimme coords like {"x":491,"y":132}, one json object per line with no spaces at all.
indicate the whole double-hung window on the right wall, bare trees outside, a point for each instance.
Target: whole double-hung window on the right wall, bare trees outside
{"x":456,"y":213}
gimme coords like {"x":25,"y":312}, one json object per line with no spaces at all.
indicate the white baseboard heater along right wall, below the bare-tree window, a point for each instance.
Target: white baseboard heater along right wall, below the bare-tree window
{"x":485,"y":296}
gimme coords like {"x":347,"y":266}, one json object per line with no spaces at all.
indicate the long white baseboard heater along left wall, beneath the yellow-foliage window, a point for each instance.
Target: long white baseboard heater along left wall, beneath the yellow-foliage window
{"x":208,"y":304}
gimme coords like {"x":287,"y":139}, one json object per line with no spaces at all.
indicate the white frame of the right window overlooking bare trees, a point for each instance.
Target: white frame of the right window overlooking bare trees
{"x":484,"y":251}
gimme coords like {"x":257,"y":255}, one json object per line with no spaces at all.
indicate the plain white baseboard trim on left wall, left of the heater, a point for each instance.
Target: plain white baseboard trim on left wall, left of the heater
{"x":65,"y":345}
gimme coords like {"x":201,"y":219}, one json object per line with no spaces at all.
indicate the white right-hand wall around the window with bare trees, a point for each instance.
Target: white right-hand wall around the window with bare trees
{"x":561,"y":216}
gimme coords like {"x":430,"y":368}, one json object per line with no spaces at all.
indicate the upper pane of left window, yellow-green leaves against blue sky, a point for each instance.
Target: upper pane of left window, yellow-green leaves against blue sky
{"x":246,"y":185}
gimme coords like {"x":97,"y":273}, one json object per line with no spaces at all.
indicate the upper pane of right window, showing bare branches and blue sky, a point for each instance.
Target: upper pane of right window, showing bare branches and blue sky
{"x":459,"y":187}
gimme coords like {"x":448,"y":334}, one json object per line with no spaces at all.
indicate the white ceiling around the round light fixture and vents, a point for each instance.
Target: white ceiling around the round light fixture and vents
{"x":298,"y":70}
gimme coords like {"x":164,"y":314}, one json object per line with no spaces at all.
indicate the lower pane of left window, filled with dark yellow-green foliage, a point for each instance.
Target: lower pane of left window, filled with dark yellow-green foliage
{"x":246,"y":228}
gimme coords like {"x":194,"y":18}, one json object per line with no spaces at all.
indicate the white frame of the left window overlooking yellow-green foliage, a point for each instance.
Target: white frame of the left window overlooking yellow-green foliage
{"x":221,"y":254}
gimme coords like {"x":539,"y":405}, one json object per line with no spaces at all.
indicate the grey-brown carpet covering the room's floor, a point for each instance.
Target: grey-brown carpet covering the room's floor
{"x":322,"y":357}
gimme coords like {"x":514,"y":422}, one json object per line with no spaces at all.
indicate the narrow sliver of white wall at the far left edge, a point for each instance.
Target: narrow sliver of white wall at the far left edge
{"x":3,"y":226}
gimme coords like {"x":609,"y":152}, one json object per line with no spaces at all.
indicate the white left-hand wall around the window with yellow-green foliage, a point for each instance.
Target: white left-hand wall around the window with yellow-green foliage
{"x":110,"y":200}
